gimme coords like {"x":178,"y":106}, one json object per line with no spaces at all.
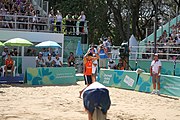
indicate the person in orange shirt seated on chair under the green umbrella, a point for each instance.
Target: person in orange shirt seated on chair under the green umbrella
{"x":9,"y":65}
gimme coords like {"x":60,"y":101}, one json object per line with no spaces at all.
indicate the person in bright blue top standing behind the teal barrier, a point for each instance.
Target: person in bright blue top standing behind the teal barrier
{"x":103,"y":56}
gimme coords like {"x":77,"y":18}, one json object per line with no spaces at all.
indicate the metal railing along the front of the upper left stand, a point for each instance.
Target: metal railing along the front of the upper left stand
{"x":40,"y":24}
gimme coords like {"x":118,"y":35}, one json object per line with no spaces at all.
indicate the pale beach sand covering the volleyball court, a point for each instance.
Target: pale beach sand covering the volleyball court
{"x":21,"y":102}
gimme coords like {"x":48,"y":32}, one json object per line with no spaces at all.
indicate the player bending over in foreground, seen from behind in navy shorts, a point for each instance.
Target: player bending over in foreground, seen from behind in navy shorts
{"x":96,"y":101}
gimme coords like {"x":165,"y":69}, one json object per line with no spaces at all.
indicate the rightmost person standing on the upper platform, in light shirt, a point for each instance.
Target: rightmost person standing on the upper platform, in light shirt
{"x":82,"y":19}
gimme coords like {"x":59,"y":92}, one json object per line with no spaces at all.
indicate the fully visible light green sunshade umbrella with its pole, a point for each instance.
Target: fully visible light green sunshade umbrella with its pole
{"x":17,"y":42}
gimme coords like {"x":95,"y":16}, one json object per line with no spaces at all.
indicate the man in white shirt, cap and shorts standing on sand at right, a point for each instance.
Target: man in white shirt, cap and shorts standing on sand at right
{"x":155,"y":71}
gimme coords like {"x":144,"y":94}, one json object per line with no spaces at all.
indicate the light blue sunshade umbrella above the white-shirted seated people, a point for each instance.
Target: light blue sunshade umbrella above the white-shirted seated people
{"x":48,"y":44}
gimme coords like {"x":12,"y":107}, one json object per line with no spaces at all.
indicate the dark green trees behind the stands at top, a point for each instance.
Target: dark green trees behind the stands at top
{"x":110,"y":17}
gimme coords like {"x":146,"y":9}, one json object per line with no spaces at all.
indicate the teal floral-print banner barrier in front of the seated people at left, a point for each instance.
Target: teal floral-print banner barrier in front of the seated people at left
{"x":50,"y":76}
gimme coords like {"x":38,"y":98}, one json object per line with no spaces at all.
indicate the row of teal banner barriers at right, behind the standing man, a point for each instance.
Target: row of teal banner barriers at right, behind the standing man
{"x":170,"y":85}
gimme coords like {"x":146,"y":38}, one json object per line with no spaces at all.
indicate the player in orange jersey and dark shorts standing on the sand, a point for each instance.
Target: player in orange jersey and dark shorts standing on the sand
{"x":87,"y":69}
